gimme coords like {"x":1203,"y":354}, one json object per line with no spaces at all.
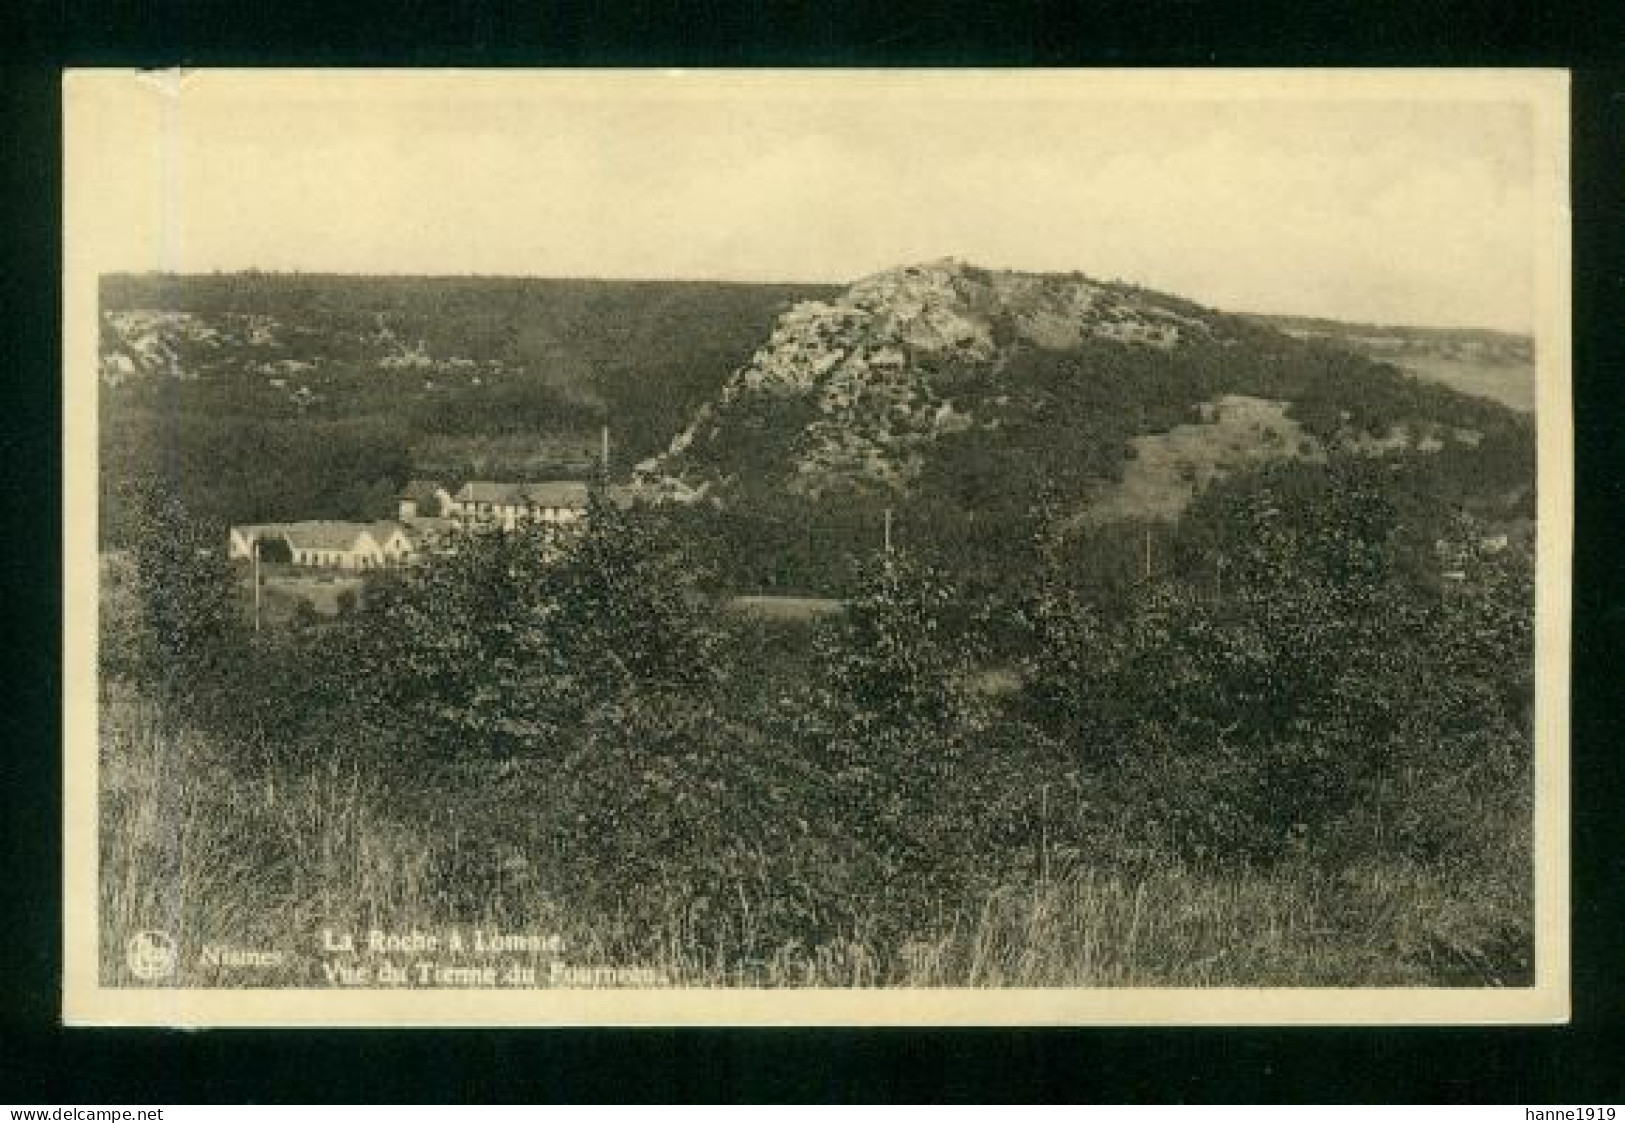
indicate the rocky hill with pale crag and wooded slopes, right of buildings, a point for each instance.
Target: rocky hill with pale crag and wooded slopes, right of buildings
{"x":917,"y":381}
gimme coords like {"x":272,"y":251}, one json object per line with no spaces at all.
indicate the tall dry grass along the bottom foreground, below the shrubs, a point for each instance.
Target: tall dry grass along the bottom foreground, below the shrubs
{"x":199,"y":843}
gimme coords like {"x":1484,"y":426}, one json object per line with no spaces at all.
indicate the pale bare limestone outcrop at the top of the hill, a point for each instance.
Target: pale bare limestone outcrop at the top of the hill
{"x":870,"y":375}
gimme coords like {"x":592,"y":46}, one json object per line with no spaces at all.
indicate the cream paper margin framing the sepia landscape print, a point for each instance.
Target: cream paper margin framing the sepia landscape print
{"x":93,"y":189}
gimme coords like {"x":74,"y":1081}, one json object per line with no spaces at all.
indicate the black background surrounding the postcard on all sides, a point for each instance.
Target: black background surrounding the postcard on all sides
{"x":43,"y":1064}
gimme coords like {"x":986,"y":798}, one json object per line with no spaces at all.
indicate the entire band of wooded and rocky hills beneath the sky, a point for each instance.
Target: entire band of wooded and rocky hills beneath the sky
{"x":943,"y":388}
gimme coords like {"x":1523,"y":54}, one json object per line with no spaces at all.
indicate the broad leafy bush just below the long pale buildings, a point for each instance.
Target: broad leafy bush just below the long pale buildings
{"x":501,"y":648}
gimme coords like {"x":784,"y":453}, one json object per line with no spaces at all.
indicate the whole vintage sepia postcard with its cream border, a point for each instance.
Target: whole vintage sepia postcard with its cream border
{"x":817,"y":548}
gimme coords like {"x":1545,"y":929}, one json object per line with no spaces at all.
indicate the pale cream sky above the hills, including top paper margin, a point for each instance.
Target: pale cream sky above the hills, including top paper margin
{"x":1397,"y":201}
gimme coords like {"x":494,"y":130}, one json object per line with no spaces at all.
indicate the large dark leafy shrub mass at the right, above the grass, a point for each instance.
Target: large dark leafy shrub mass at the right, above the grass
{"x":1325,"y":706}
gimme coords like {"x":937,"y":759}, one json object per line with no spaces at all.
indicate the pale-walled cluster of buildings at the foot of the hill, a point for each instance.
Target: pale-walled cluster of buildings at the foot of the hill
{"x":428,"y":518}
